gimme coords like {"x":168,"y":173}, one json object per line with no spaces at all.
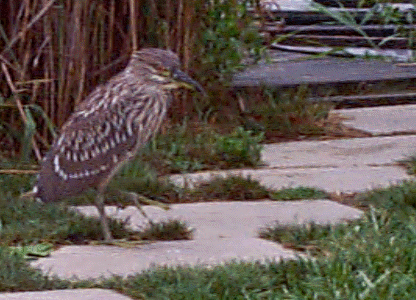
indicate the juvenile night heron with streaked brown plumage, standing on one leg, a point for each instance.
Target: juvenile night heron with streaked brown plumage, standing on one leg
{"x":109,"y":127}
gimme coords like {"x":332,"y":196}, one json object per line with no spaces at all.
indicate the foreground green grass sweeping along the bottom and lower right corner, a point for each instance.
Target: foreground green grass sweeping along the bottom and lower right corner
{"x":370,"y":258}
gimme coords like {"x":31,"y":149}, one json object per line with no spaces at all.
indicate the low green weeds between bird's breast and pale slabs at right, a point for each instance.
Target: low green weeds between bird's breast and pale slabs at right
{"x":188,"y":150}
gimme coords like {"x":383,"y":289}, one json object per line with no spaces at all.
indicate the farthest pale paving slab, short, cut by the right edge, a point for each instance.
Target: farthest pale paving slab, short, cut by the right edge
{"x":381,"y":119}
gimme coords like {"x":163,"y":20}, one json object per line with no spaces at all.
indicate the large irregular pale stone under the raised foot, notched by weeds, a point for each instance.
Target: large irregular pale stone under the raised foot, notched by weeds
{"x":224,"y":232}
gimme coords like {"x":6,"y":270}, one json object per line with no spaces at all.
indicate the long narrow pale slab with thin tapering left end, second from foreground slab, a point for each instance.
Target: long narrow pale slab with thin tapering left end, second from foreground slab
{"x":330,"y":179}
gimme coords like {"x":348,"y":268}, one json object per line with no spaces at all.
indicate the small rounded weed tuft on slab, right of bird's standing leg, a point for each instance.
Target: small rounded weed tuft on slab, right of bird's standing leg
{"x":170,"y":230}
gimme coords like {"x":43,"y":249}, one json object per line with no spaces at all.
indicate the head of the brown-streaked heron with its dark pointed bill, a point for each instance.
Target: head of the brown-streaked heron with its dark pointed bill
{"x":162,"y":67}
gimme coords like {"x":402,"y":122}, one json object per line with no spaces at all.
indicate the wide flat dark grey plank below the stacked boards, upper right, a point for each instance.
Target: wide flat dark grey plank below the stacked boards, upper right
{"x":322,"y":71}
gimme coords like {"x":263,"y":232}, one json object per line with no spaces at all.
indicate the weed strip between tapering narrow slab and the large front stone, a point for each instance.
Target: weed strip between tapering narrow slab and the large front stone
{"x":218,"y":188}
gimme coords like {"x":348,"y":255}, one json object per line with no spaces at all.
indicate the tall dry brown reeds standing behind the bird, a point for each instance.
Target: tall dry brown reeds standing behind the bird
{"x":56,"y":51}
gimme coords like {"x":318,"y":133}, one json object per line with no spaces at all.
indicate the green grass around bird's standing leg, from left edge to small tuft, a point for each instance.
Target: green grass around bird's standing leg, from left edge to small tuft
{"x":26,"y":222}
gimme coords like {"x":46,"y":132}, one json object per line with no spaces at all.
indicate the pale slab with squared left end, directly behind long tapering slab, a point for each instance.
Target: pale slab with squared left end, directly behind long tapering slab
{"x":370,"y":151}
